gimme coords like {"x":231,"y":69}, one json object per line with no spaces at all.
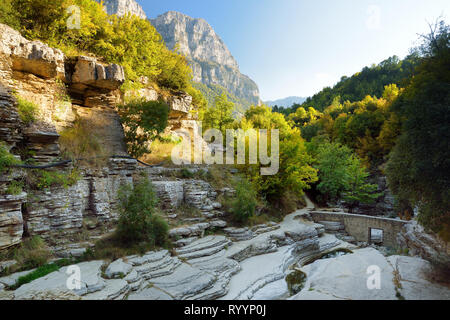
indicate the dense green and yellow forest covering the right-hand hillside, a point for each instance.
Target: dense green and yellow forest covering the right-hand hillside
{"x":391,"y":119}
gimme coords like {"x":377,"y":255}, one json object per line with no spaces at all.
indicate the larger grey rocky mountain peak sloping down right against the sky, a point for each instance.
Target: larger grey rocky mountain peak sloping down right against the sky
{"x":211,"y":61}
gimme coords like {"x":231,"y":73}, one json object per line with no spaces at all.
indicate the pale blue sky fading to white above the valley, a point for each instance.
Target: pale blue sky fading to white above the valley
{"x":296,"y":47}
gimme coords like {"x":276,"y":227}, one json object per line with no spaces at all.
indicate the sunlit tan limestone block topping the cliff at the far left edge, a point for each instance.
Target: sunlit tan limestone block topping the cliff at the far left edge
{"x":30,"y":56}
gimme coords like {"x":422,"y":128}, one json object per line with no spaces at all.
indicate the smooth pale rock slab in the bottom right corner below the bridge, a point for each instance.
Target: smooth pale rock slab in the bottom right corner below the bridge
{"x":347,"y":277}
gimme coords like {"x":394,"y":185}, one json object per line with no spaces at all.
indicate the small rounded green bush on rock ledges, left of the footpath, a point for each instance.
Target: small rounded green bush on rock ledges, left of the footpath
{"x":245,"y":202}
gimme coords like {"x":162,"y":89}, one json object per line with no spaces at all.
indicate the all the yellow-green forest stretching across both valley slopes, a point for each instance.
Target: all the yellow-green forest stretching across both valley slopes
{"x":390,"y":119}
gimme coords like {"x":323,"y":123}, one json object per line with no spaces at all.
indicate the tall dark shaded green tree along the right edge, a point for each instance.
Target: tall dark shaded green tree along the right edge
{"x":418,"y":169}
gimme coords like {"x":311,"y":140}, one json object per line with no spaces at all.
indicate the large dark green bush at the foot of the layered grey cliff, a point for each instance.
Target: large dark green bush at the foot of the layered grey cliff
{"x":138,"y":221}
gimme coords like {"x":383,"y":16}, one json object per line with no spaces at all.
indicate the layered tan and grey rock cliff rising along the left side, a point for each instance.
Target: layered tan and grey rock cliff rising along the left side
{"x":64,"y":90}
